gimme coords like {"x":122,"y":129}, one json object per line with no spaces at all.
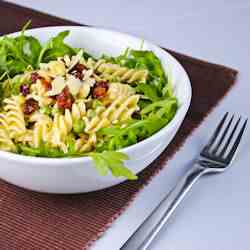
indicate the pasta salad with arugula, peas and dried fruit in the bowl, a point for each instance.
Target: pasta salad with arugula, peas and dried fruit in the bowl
{"x":59,"y":101}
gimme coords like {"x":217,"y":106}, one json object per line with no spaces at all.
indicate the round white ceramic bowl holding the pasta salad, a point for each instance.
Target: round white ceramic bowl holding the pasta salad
{"x":77,"y":175}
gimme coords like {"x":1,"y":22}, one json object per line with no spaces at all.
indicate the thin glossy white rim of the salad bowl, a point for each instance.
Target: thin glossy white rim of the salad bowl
{"x":64,"y":160}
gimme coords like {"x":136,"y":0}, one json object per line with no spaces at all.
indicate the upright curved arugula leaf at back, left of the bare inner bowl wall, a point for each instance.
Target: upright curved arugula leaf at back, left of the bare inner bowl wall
{"x":55,"y":48}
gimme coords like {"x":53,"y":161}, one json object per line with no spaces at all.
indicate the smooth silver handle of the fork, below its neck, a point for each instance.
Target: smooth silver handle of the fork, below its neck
{"x":149,"y":229}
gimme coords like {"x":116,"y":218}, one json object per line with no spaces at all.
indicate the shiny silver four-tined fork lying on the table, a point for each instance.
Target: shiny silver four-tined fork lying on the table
{"x":215,"y":157}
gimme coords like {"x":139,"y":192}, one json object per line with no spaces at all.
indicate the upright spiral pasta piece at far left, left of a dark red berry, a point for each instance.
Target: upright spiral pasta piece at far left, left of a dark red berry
{"x":15,"y":116}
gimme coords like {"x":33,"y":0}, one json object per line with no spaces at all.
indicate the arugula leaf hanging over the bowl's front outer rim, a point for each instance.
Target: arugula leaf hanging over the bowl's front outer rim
{"x":113,"y":161}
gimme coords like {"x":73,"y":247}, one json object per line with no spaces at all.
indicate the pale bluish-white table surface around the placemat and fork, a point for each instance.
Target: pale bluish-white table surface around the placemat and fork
{"x":216,"y":214}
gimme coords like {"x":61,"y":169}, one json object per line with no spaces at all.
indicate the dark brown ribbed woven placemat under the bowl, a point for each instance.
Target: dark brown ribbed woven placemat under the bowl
{"x":30,"y":220}
